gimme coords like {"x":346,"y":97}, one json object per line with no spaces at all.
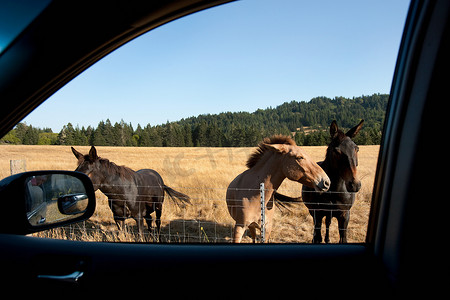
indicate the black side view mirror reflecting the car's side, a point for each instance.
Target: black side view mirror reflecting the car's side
{"x":41,"y":200}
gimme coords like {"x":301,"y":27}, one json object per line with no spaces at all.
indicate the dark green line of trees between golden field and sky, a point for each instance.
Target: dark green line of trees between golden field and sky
{"x":306,"y":122}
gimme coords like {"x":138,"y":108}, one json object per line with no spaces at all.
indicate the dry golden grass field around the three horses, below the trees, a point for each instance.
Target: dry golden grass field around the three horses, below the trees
{"x":203,"y":174}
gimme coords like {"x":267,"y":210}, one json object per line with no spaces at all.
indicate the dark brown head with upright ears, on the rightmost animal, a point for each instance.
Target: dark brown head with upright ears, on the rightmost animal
{"x":342,"y":154}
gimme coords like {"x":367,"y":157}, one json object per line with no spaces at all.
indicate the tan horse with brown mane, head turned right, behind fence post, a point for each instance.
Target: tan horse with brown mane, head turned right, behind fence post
{"x":275,"y":159}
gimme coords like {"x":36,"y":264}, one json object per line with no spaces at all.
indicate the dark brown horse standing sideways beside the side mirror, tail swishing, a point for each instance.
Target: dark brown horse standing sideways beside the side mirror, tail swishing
{"x":130,"y":194}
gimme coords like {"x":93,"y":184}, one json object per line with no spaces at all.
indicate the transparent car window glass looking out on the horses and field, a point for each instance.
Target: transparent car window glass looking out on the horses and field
{"x":188,"y":104}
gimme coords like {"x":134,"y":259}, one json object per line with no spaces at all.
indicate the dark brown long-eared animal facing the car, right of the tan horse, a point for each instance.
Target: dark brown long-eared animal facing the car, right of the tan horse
{"x":340,"y":164}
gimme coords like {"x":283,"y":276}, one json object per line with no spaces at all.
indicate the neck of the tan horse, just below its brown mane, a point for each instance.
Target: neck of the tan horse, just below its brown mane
{"x":269,"y":171}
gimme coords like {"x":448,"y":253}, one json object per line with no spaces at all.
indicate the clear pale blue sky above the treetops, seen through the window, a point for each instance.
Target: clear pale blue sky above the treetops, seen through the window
{"x":237,"y":57}
